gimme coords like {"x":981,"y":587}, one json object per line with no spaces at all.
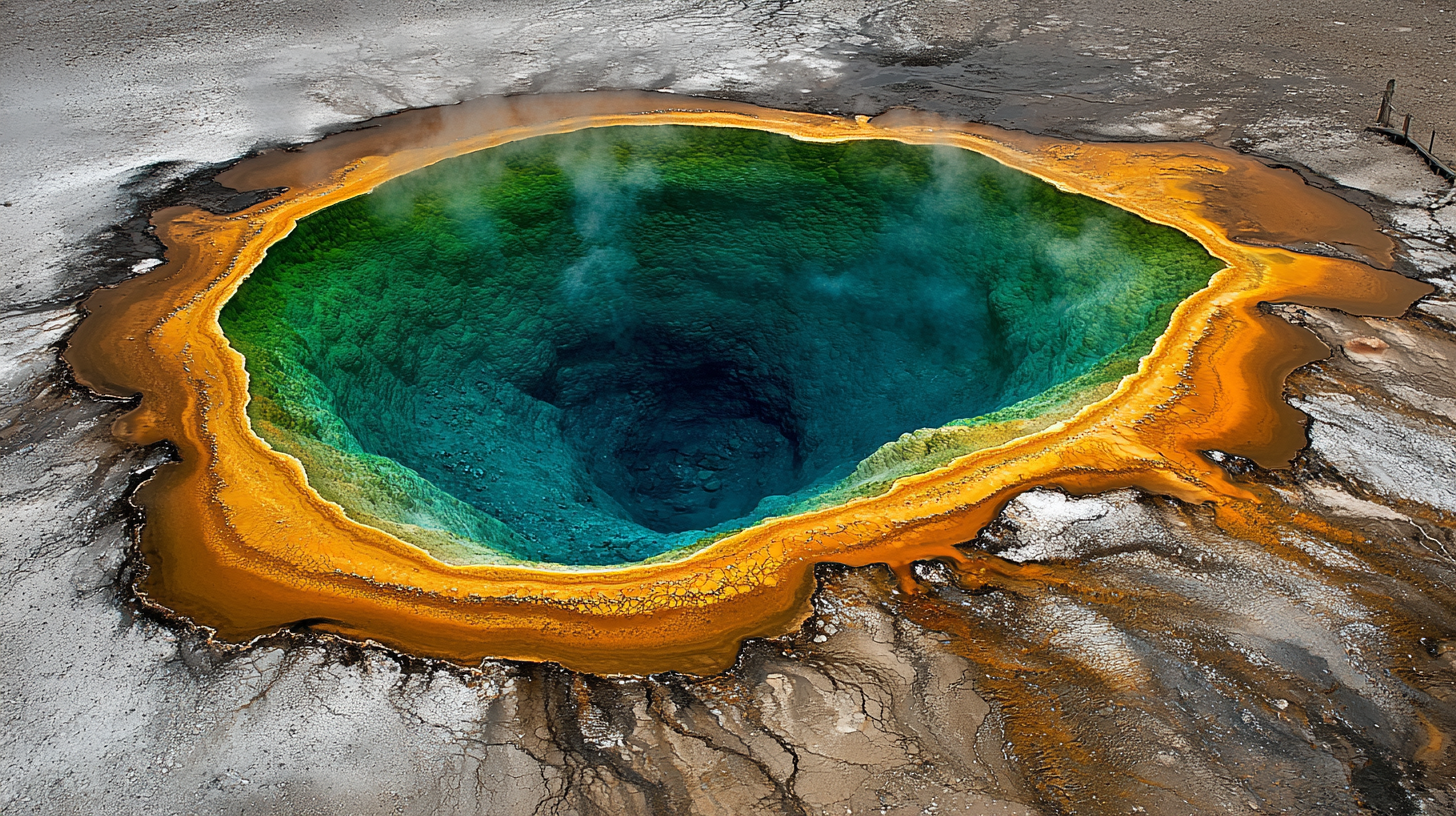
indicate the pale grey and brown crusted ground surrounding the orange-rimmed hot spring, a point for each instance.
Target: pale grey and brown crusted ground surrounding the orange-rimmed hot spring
{"x":1243,"y":683}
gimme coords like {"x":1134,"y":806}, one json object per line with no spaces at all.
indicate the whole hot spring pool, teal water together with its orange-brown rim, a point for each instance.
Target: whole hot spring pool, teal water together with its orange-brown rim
{"x":513,"y":381}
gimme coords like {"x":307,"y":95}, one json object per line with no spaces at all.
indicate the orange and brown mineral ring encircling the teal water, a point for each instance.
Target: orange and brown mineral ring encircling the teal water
{"x":237,"y":541}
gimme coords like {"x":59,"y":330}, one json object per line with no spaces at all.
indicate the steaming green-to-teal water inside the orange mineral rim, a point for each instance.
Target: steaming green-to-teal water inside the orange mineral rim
{"x":604,"y":346}
